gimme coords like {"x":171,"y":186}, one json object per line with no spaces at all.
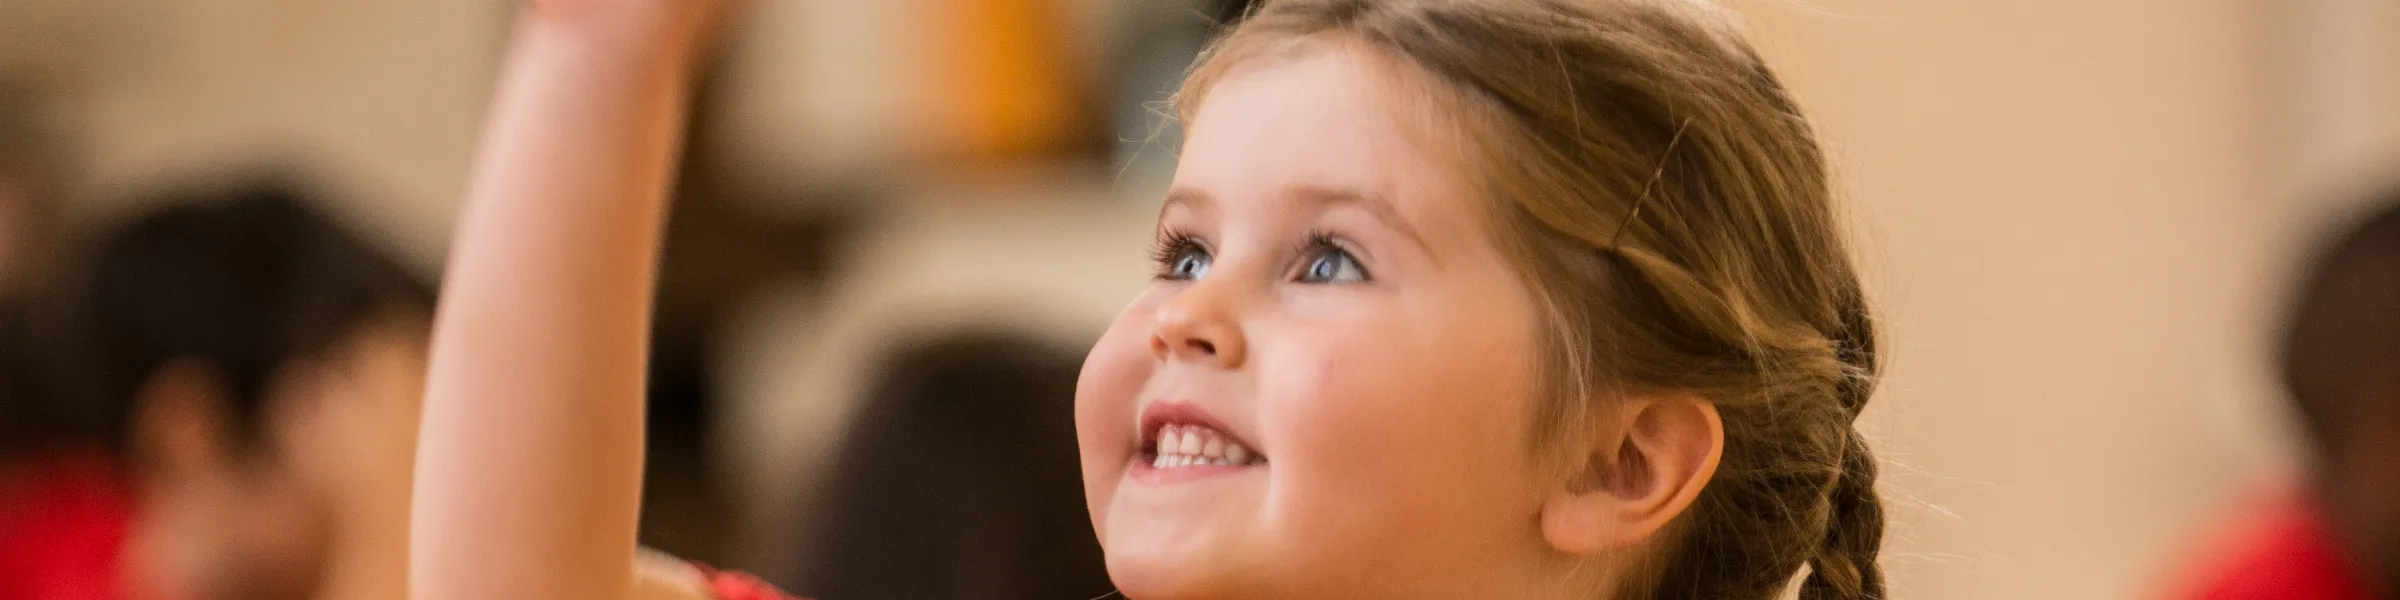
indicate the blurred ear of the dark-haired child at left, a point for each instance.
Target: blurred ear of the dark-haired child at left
{"x":181,"y":426}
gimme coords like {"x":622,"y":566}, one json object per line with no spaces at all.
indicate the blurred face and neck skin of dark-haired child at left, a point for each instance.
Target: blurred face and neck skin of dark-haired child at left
{"x":313,"y":510}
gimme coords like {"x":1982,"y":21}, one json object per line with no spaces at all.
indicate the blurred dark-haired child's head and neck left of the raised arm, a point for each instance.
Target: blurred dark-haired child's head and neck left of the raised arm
{"x":272,"y":371}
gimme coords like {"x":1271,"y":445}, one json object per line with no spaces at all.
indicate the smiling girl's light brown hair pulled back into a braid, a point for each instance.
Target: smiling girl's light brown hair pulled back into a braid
{"x":1672,"y":210}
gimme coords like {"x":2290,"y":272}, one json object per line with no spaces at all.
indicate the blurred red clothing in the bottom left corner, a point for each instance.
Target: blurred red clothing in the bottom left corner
{"x":61,"y":527}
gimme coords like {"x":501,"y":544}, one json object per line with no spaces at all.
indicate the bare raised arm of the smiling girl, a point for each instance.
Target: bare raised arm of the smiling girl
{"x":529,"y":462}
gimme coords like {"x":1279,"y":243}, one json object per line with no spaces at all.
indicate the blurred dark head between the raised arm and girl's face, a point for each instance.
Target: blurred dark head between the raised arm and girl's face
{"x":961,"y":481}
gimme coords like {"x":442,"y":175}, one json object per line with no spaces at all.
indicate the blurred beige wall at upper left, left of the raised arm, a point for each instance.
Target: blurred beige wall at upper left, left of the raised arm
{"x":378,"y":102}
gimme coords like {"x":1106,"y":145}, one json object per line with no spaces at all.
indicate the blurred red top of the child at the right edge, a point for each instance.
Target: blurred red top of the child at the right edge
{"x":2279,"y":551}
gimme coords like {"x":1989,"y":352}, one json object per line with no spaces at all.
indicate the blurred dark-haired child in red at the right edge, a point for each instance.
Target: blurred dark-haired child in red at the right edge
{"x":2341,"y":361}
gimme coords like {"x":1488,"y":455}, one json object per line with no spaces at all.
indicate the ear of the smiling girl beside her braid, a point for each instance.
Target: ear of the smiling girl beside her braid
{"x":1643,"y":467}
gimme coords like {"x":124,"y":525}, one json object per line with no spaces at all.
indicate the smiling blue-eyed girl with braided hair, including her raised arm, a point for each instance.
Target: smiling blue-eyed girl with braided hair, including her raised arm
{"x":1458,"y":299}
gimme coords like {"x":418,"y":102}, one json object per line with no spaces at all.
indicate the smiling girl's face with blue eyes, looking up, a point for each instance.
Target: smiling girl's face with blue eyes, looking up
{"x":1328,"y":392}
